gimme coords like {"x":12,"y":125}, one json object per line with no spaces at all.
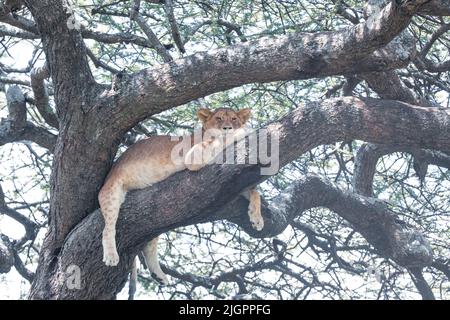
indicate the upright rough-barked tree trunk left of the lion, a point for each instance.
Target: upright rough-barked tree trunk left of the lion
{"x":75,"y":91}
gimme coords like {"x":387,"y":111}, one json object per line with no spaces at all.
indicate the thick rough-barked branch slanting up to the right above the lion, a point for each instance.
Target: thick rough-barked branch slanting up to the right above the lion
{"x":295,"y":56}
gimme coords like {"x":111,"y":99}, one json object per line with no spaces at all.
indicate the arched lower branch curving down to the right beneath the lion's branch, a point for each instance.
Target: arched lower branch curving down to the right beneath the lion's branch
{"x":368,"y":216}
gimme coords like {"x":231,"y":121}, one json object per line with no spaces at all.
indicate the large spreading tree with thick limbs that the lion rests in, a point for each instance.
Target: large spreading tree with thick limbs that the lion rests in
{"x":387,"y":78}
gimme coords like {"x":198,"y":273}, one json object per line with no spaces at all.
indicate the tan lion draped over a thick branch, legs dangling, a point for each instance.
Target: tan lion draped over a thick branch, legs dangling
{"x":150,"y":161}
